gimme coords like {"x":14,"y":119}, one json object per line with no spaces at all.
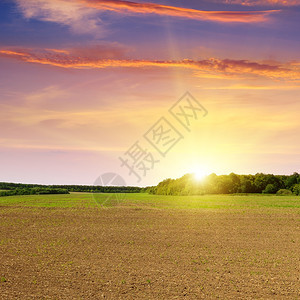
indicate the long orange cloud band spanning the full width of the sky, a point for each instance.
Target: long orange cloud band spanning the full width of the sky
{"x":207,"y":68}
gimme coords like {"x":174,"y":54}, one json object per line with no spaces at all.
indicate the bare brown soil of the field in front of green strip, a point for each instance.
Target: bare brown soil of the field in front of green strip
{"x":141,"y":253}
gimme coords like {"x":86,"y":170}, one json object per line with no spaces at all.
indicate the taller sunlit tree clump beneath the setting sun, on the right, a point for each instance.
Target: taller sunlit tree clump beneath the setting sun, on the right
{"x":229,"y":184}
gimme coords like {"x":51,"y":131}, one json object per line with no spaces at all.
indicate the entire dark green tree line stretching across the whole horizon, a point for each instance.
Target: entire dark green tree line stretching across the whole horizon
{"x":186,"y":185}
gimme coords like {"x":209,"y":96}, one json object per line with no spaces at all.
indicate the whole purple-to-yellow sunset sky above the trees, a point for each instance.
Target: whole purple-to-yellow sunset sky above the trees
{"x":89,"y":87}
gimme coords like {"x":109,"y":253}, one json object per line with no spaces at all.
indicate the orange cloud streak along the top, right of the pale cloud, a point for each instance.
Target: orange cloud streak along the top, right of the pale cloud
{"x":121,"y":6}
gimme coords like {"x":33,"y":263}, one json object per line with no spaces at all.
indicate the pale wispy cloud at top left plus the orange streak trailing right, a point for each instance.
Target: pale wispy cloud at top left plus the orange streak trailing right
{"x":83,"y":16}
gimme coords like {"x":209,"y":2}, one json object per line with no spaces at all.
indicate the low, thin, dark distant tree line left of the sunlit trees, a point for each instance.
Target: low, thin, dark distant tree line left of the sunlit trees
{"x":11,"y":189}
